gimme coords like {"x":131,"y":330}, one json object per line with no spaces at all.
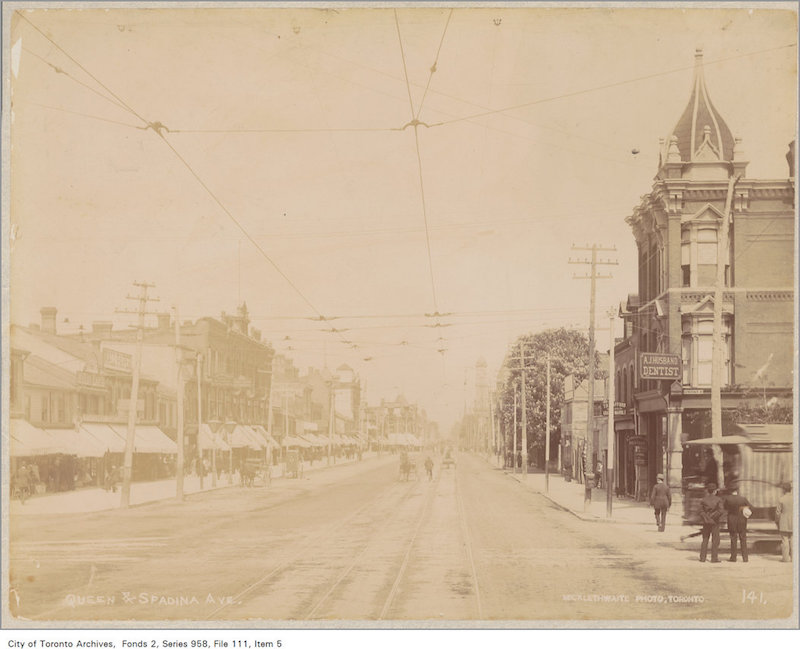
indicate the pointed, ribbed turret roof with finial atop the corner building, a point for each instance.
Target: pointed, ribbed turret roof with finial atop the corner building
{"x":701,"y":135}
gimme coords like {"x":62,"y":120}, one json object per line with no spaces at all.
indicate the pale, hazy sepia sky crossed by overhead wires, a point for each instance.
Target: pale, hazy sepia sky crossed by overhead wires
{"x":282,"y":167}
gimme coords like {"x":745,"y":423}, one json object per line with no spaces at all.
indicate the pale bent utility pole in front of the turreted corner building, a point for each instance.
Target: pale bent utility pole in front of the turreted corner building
{"x":718,"y":346}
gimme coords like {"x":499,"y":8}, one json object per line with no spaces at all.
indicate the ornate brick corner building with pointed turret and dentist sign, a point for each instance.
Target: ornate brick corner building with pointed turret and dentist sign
{"x":676,"y":227}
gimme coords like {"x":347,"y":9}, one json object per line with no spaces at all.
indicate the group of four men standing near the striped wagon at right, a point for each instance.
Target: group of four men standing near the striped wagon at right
{"x":734,"y":508}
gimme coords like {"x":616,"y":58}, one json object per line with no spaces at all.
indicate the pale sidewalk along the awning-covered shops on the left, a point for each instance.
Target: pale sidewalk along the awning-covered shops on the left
{"x":96,"y":499}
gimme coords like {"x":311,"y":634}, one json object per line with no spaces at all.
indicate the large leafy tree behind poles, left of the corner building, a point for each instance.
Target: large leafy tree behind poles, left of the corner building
{"x":568,"y":351}
